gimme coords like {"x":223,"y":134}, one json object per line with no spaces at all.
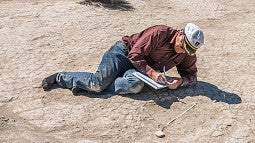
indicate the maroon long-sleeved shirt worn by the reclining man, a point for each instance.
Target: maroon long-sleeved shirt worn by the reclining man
{"x":153,"y":48}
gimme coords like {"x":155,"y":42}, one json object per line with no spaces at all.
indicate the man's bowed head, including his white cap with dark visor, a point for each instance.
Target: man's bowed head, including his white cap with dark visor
{"x":189,"y":39}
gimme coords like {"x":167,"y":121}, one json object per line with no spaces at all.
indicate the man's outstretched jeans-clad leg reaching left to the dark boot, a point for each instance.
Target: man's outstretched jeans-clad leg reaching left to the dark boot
{"x":113,"y":64}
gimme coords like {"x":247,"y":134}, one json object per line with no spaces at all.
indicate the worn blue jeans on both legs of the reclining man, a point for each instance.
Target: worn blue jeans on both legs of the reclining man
{"x":114,"y":73}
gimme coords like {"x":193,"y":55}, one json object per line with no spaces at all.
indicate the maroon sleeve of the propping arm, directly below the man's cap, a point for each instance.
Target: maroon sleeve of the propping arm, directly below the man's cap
{"x":188,"y":71}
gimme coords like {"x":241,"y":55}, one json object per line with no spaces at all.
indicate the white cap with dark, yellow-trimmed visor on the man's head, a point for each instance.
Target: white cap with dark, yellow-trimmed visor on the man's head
{"x":193,"y":38}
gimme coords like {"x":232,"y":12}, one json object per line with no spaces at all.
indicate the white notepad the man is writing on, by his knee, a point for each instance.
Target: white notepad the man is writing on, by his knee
{"x":148,"y":80}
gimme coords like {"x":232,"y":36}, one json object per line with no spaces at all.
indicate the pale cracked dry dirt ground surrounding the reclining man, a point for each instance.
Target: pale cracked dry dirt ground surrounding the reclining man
{"x":39,"y":38}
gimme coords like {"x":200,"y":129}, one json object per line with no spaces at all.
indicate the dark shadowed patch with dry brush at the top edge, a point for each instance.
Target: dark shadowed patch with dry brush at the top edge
{"x":109,"y":4}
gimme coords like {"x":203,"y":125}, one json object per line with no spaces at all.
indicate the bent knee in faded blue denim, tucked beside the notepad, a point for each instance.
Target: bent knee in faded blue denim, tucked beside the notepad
{"x":127,"y":84}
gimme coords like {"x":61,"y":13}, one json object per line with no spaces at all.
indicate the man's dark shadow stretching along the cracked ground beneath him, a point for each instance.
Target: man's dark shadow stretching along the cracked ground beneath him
{"x":165,"y":97}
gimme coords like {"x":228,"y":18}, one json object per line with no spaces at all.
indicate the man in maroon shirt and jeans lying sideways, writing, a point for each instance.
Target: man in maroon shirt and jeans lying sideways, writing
{"x":149,"y":52}
